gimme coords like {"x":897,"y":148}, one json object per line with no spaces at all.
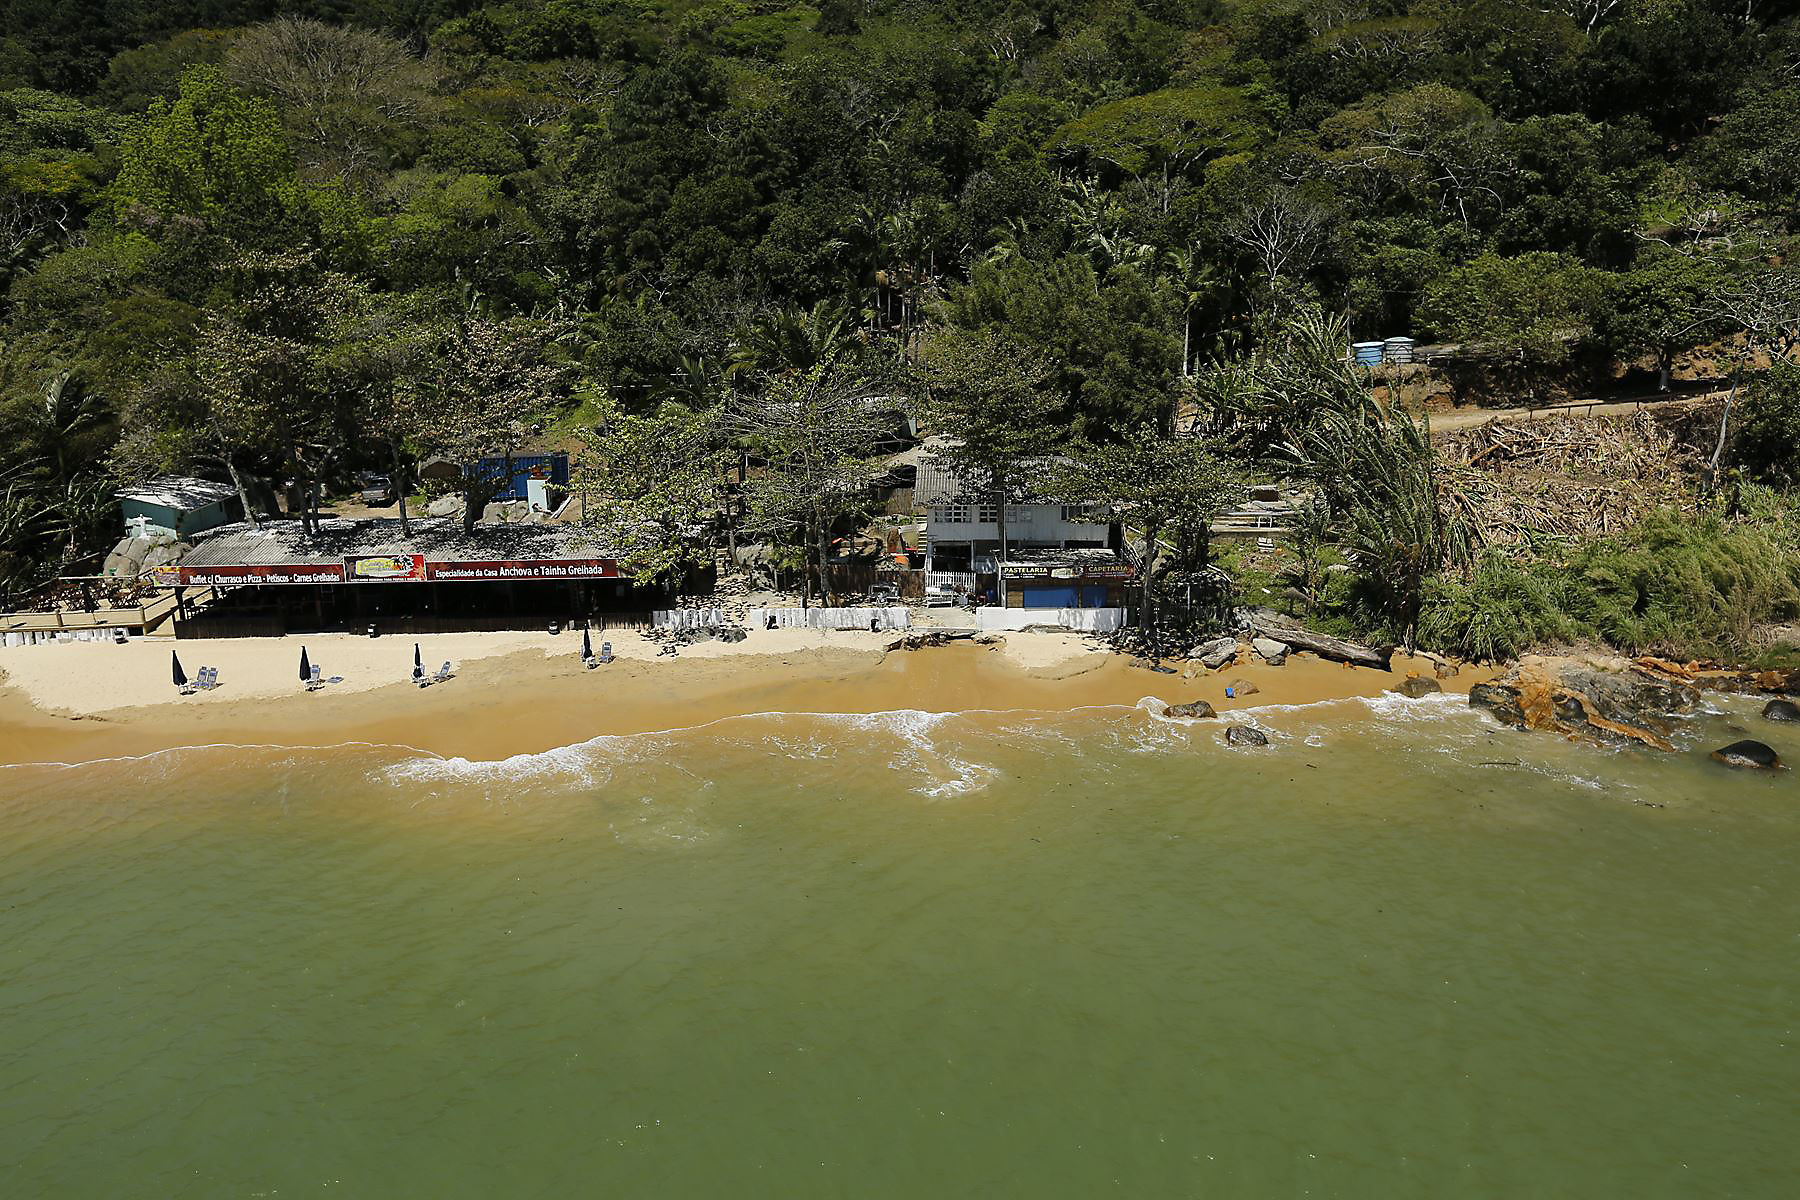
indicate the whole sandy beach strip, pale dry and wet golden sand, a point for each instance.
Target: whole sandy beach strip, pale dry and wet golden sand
{"x":519,"y":694}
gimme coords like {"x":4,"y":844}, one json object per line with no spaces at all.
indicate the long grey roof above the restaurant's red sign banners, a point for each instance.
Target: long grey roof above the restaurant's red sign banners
{"x":440,"y":541}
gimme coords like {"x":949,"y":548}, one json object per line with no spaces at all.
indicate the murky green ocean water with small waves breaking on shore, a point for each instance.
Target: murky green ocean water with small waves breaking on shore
{"x":1401,"y":953}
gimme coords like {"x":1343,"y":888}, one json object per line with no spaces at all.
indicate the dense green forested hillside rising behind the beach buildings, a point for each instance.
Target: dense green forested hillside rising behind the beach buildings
{"x":283,"y":240}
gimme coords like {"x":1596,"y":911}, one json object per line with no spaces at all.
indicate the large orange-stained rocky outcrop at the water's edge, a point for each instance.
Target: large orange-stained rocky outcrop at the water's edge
{"x":1597,"y":701}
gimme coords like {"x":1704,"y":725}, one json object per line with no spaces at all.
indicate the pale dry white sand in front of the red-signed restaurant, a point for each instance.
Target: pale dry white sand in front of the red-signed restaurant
{"x":98,"y":677}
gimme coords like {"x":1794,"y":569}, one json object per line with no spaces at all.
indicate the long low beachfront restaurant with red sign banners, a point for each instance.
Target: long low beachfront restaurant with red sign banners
{"x":431,"y":578}
